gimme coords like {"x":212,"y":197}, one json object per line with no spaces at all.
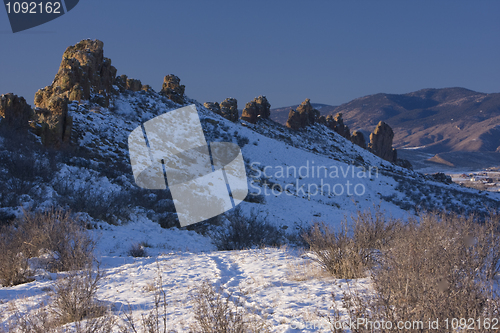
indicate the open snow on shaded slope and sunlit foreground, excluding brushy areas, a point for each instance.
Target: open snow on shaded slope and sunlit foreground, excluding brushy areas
{"x":281,"y":285}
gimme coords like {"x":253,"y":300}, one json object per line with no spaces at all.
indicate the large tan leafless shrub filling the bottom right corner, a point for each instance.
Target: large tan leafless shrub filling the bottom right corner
{"x":438,"y":267}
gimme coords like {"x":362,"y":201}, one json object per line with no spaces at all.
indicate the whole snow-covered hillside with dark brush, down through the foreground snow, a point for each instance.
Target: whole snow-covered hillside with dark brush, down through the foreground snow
{"x":294,"y":177}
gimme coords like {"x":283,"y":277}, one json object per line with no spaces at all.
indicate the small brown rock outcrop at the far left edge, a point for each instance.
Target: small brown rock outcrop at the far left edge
{"x":15,"y":111}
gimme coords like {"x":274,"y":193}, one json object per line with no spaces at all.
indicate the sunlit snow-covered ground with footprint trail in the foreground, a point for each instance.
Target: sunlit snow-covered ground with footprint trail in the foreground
{"x":284,"y":287}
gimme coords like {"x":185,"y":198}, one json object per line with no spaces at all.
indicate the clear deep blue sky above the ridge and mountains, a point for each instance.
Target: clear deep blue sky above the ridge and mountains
{"x":328,"y":51}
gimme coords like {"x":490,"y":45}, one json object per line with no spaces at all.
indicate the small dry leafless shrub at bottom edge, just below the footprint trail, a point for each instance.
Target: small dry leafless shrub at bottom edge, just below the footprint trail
{"x":215,"y":313}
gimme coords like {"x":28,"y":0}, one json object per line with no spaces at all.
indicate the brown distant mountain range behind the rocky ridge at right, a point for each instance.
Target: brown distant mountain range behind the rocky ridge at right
{"x":435,"y":120}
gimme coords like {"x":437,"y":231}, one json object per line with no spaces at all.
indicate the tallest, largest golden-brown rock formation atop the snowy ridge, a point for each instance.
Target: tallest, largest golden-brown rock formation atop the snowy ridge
{"x":83,"y":71}
